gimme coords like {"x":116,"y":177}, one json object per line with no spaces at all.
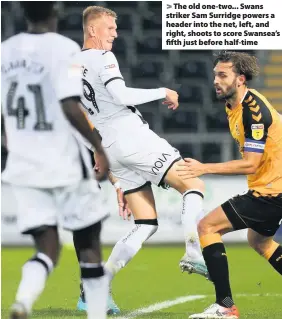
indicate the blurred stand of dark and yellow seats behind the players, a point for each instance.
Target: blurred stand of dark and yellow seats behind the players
{"x":199,"y":128}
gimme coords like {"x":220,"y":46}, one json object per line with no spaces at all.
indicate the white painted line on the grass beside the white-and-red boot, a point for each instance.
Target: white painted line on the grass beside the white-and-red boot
{"x":161,"y":305}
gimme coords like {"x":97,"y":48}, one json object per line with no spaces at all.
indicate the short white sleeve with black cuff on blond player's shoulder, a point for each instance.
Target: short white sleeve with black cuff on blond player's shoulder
{"x":109,"y":70}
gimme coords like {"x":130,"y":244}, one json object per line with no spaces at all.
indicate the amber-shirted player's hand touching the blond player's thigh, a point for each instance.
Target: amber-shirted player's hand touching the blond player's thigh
{"x":190,"y":168}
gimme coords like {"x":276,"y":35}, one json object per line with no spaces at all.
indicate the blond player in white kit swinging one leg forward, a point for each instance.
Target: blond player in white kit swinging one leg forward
{"x":138,"y":156}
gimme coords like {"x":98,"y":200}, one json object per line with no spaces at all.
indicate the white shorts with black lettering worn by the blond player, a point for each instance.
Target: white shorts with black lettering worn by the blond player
{"x":141,"y":159}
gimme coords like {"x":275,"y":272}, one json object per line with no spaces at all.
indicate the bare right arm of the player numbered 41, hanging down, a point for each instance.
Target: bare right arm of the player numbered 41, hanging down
{"x":76,"y":117}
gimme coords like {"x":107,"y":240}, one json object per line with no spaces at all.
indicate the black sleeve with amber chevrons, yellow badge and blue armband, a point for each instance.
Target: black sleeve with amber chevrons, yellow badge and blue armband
{"x":257,"y":119}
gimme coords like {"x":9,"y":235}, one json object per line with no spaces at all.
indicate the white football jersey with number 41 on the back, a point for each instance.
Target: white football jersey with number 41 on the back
{"x":37,"y":73}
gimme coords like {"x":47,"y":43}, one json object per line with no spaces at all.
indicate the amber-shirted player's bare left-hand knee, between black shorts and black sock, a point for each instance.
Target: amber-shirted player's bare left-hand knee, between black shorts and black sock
{"x":215,"y":222}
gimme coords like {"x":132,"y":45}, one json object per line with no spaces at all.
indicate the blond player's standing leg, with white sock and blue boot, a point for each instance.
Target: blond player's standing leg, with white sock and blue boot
{"x":145,"y":225}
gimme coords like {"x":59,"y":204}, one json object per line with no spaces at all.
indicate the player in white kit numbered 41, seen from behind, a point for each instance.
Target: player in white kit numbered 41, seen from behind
{"x":47,"y":174}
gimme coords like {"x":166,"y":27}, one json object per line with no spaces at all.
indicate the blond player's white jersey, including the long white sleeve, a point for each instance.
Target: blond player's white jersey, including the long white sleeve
{"x":112,"y":116}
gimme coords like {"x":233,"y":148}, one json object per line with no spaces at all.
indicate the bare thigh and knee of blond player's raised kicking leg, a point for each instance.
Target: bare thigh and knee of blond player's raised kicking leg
{"x":174,"y":180}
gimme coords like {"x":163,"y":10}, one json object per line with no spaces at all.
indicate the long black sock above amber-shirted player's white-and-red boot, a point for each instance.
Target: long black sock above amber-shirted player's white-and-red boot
{"x":216,"y":261}
